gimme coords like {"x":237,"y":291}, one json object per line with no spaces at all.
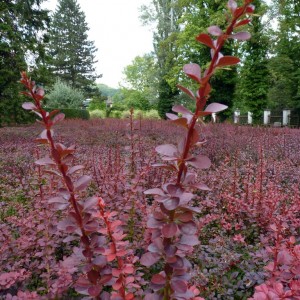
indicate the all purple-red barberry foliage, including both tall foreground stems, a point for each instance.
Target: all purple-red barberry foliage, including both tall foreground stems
{"x":214,"y":222}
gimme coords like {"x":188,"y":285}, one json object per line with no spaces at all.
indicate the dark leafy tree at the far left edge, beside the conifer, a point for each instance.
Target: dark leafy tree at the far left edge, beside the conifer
{"x":22,"y":36}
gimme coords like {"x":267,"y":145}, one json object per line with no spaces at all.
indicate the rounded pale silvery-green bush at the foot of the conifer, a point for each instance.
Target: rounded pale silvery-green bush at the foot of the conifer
{"x":64,"y":96}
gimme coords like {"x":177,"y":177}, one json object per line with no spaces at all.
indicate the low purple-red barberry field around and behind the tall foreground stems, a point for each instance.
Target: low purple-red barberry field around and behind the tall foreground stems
{"x":247,"y":223}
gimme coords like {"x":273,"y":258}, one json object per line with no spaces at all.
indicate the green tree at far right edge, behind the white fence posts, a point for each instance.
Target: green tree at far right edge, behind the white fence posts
{"x":285,"y":63}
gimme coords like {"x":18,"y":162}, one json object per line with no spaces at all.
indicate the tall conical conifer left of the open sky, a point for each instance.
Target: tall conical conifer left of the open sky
{"x":73,"y":55}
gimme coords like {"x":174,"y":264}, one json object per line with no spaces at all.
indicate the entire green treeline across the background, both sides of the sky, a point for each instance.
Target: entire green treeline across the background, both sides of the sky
{"x":56,"y":52}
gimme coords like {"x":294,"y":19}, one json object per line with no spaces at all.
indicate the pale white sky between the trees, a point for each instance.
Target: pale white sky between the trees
{"x":117,"y":32}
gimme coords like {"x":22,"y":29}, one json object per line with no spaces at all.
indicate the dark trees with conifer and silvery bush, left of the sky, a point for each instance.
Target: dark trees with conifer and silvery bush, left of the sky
{"x":53,"y":48}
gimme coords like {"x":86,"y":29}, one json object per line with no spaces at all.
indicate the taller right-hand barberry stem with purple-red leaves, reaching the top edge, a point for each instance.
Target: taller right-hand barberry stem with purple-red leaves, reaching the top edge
{"x":174,"y":231}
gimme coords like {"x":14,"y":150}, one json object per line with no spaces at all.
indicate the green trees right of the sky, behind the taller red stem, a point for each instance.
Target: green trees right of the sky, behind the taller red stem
{"x":268,"y":76}
